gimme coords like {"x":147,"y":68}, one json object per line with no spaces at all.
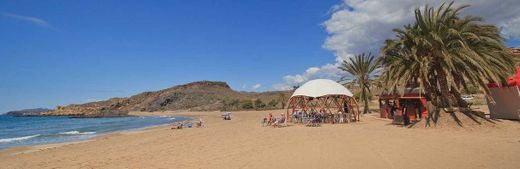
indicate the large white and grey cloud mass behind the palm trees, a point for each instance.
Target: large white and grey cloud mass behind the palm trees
{"x":357,"y":26}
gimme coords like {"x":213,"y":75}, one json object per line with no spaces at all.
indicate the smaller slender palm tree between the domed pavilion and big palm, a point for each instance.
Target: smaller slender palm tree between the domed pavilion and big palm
{"x":361,"y":67}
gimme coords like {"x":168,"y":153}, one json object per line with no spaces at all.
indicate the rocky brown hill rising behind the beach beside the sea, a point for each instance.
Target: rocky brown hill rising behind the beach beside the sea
{"x":196,"y":96}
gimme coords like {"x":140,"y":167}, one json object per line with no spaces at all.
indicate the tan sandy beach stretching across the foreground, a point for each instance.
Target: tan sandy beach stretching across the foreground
{"x":243,"y":143}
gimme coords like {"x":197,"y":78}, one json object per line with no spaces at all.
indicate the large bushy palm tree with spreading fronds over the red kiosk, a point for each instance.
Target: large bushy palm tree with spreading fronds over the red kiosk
{"x":442,"y":53}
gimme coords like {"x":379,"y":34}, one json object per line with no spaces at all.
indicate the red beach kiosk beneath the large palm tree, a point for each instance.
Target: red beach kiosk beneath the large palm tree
{"x":404,"y":109}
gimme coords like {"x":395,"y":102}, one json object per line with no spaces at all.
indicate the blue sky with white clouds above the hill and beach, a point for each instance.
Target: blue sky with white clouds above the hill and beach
{"x":61,"y":52}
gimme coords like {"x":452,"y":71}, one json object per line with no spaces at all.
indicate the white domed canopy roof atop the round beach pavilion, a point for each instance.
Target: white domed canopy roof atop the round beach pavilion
{"x":321,"y":87}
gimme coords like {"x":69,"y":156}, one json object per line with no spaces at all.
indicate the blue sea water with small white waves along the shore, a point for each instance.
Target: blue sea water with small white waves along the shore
{"x":22,"y":131}
